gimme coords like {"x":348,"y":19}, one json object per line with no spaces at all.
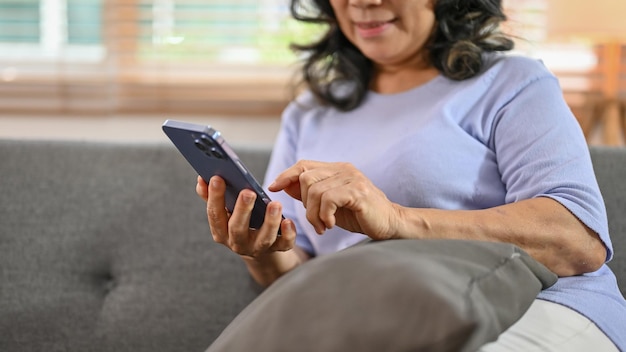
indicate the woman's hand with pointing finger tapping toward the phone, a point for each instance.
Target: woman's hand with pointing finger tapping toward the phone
{"x":337,"y":194}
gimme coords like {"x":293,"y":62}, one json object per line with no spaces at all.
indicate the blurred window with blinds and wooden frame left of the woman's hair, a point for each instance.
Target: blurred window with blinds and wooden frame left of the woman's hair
{"x":111,"y":56}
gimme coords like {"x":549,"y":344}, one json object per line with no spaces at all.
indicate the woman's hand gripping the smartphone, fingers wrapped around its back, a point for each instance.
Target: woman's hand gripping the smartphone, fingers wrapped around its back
{"x":232,"y":230}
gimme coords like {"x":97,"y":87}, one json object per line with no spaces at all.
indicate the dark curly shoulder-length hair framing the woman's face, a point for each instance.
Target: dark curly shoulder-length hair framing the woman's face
{"x":338,"y":74}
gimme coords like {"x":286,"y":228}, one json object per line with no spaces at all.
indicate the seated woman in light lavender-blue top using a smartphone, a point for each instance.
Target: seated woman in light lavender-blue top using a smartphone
{"x":415,"y":126}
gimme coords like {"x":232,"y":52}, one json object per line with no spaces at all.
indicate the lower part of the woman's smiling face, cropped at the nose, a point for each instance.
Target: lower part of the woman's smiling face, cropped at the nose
{"x":389,"y":32}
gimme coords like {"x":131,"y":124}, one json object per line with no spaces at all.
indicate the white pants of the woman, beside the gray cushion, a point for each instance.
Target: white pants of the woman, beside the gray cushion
{"x":552,"y":327}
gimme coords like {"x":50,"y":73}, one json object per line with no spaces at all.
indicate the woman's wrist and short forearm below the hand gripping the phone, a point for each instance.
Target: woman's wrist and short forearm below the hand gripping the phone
{"x":269,"y":267}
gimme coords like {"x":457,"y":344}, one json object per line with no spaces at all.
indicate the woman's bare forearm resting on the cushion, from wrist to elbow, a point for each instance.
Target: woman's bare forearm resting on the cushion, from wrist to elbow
{"x":542,"y":227}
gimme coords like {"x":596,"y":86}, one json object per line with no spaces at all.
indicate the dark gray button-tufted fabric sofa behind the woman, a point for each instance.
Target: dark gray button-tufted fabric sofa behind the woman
{"x":105,"y":247}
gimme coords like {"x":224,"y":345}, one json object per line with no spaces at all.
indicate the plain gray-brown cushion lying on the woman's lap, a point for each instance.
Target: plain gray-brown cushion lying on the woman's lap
{"x":401,"y":295}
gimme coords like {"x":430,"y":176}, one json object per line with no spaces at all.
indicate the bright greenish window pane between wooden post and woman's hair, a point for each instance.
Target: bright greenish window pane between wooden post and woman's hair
{"x":235,"y":33}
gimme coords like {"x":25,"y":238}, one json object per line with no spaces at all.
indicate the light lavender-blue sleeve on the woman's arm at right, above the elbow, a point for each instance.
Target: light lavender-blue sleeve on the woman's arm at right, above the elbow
{"x":541,"y":152}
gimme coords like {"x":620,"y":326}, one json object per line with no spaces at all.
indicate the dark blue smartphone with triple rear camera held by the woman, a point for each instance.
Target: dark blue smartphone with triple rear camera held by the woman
{"x":209,"y":154}
